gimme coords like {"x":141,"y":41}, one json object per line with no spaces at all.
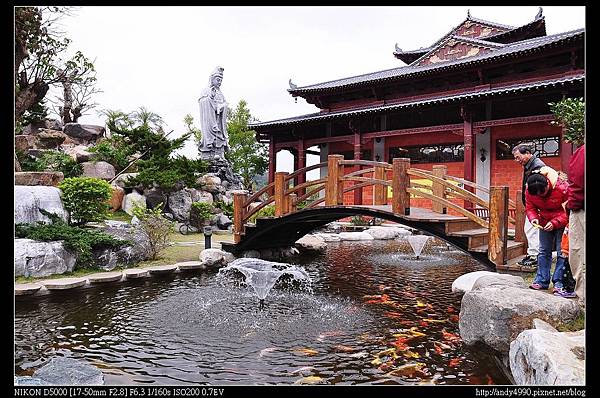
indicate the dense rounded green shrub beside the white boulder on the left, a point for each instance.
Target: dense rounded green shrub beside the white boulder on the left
{"x":85,"y":198}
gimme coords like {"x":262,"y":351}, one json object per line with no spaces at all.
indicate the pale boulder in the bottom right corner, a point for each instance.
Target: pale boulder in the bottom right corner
{"x":543,"y":357}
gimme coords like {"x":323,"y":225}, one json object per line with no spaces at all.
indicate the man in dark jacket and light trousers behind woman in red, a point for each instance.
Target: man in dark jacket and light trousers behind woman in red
{"x":523,"y":154}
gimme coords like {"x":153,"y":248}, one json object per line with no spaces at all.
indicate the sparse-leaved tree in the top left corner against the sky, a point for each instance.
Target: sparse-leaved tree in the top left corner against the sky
{"x":40,"y":60}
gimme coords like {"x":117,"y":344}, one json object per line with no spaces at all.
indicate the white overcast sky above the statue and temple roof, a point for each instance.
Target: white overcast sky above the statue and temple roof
{"x":161,"y":57}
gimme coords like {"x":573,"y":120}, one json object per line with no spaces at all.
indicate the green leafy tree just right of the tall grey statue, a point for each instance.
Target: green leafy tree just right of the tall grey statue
{"x":248,"y":157}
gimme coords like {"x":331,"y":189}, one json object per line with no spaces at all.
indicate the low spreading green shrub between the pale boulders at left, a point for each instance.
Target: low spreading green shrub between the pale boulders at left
{"x":79,"y":241}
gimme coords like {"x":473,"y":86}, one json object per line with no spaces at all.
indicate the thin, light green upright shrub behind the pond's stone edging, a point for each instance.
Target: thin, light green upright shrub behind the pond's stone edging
{"x":155,"y":227}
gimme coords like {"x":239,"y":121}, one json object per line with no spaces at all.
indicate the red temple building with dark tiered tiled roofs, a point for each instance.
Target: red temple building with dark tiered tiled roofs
{"x":463,"y":102}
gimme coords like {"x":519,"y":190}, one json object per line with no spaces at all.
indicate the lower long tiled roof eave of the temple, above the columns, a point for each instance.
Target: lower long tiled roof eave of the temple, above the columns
{"x":260,"y":127}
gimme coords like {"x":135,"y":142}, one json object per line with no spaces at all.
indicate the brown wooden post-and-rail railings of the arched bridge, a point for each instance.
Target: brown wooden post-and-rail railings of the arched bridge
{"x":437,"y":186}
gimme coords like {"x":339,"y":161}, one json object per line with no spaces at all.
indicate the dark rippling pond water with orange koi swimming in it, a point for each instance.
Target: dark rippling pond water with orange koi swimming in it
{"x":372,"y":314}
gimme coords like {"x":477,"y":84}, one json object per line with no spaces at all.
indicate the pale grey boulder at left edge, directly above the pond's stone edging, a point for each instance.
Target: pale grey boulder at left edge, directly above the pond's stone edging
{"x":40,"y":259}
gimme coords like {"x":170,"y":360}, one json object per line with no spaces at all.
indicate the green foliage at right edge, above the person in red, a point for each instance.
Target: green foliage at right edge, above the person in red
{"x":570,"y":115}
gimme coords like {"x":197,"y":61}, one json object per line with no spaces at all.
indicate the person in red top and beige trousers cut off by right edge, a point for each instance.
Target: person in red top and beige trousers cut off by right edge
{"x":576,"y":207}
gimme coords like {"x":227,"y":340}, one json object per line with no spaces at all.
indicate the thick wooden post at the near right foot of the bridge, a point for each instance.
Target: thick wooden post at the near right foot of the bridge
{"x":498,"y":234}
